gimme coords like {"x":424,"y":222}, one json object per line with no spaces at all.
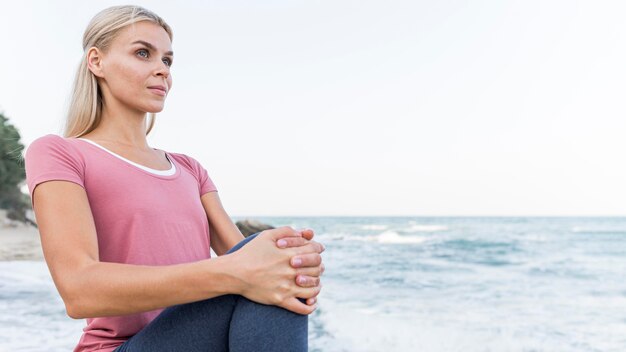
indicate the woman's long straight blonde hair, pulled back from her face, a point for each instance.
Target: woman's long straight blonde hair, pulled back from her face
{"x":85,"y":109}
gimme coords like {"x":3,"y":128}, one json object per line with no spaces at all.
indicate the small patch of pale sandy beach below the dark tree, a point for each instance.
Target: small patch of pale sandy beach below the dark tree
{"x":20,"y":242}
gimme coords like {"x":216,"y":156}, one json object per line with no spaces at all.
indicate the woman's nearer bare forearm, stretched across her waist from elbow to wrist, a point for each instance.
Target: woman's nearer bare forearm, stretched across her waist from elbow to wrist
{"x":110,"y":289}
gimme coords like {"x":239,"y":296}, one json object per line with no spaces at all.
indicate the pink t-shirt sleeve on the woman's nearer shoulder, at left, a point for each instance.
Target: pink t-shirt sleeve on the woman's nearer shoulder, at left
{"x":52,"y":158}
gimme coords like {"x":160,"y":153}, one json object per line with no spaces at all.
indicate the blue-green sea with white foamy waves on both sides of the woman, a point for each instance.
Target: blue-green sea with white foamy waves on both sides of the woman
{"x":416,"y":284}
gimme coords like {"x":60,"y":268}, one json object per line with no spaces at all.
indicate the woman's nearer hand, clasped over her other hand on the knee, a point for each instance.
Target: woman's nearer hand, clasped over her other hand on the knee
{"x":264,"y":273}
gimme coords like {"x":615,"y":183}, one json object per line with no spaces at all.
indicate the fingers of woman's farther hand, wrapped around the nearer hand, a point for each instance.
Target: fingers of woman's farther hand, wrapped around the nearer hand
{"x":310,"y":266}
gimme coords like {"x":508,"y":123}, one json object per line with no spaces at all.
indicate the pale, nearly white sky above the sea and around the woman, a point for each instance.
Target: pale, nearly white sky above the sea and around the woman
{"x":366,"y":108}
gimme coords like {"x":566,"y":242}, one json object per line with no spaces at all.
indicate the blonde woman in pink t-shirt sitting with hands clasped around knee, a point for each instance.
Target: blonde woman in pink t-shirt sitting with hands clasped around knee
{"x":125,"y":227}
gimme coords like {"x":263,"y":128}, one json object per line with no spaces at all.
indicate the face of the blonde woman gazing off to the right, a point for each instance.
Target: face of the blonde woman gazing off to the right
{"x":135,"y":70}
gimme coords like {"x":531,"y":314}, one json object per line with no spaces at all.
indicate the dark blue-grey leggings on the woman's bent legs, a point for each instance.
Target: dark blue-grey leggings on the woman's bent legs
{"x":224,"y":323}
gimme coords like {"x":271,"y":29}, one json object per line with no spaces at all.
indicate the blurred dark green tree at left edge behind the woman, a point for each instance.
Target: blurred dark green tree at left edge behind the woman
{"x":12,"y":173}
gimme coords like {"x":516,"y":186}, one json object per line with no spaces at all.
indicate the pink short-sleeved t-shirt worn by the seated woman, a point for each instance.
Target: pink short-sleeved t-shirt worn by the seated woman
{"x":141,"y":217}
